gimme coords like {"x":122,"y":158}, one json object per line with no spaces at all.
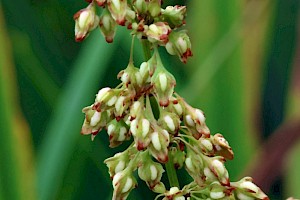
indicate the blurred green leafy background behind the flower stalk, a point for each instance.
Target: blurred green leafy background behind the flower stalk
{"x":245,"y":76}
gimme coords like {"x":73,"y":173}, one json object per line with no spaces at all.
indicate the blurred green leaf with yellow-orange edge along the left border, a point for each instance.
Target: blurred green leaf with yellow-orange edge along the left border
{"x":16,"y":167}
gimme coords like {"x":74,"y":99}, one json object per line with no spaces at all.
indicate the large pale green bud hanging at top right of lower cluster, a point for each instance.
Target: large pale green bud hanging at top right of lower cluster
{"x":163,"y":84}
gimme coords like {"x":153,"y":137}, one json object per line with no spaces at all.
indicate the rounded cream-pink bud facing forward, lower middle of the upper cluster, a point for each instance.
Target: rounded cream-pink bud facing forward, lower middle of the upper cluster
{"x":158,"y":32}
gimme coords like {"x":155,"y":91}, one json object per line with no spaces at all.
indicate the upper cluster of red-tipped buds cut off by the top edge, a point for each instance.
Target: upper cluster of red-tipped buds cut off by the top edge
{"x":145,"y":18}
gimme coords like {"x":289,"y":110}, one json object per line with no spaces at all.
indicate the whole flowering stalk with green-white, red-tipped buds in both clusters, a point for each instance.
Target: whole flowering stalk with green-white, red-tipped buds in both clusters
{"x":175,"y":136}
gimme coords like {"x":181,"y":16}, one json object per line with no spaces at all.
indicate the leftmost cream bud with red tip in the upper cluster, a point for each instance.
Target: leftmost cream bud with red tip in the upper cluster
{"x":86,"y":20}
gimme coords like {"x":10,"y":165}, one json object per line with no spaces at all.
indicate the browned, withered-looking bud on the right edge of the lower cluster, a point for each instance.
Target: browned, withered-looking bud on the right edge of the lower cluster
{"x":222,"y":147}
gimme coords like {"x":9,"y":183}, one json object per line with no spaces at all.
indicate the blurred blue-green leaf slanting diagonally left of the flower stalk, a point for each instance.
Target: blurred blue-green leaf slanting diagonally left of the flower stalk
{"x":63,"y":130}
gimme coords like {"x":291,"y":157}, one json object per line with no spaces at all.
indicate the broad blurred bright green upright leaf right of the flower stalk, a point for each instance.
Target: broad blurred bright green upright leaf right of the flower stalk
{"x":217,"y":79}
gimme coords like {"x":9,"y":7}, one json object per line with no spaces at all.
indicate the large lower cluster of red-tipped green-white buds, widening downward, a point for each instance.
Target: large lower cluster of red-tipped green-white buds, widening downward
{"x":177,"y":129}
